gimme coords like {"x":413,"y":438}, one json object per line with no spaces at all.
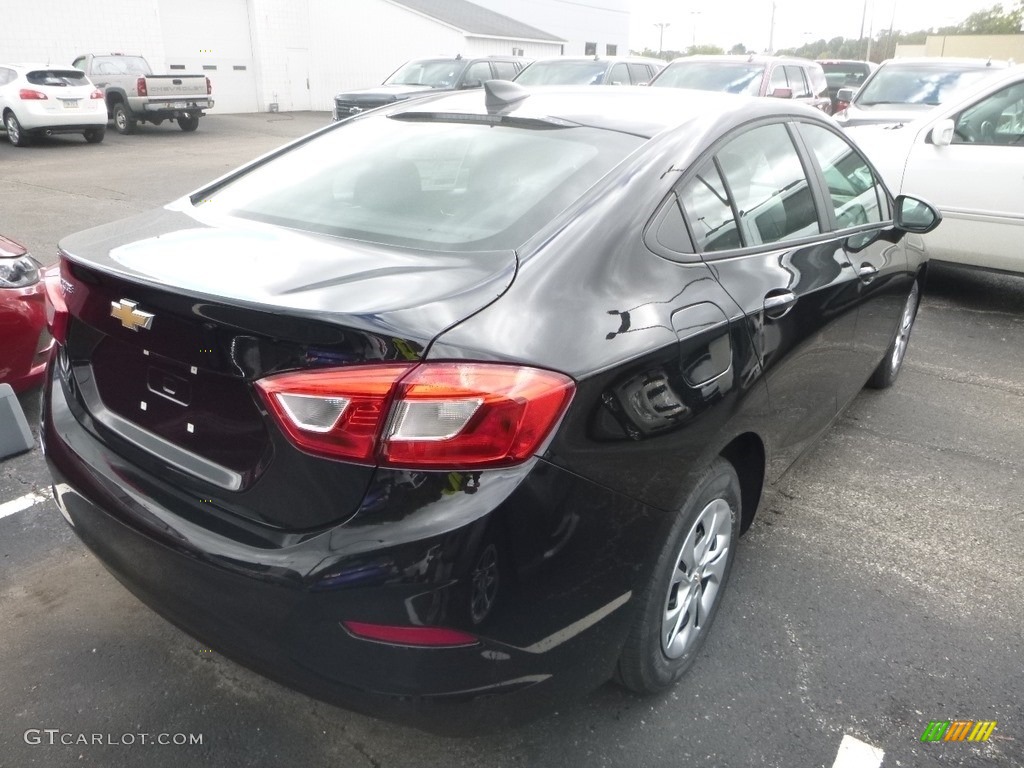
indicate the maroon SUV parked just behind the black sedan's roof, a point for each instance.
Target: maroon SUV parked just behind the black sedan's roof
{"x":780,"y":77}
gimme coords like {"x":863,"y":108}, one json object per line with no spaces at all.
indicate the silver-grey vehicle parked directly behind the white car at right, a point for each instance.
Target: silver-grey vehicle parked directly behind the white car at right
{"x":906,"y":90}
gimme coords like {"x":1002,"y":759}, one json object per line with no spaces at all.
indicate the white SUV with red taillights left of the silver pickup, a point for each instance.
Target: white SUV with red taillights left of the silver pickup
{"x":41,"y":100}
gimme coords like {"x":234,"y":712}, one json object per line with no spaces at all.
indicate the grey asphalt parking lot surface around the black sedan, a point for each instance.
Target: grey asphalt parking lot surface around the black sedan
{"x":880,"y":588}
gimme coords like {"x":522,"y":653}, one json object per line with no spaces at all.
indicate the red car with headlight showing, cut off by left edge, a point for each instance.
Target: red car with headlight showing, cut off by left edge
{"x":25,"y":343}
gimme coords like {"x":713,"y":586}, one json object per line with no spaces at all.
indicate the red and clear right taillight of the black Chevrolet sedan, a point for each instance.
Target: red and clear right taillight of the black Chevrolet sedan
{"x":433,"y":415}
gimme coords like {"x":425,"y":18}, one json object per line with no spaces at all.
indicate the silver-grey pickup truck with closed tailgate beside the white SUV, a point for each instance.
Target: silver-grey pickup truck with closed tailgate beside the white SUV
{"x":134,"y":94}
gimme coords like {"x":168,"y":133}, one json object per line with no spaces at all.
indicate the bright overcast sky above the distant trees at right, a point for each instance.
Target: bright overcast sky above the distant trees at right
{"x":727,"y":23}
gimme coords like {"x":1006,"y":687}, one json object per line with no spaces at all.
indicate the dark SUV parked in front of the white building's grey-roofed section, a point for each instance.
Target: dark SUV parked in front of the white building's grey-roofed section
{"x":423,"y":76}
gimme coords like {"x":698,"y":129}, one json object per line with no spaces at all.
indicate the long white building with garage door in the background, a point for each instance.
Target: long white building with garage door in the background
{"x":294,"y":54}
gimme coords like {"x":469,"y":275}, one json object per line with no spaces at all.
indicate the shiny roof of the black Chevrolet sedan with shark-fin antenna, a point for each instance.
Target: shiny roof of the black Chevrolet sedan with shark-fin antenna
{"x":641,"y":111}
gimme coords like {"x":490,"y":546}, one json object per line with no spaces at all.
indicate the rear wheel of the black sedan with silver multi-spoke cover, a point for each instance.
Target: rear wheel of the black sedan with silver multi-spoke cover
{"x":677,"y":608}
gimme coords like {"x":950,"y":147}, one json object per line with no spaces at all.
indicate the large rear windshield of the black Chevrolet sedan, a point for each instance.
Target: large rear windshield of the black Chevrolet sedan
{"x":424,"y":184}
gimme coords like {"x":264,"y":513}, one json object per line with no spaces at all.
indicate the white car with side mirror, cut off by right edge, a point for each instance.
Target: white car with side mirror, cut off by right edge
{"x":967,"y":158}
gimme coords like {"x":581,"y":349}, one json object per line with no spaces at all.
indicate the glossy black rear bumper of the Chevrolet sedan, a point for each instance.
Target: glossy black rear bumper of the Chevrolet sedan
{"x":558,"y":625}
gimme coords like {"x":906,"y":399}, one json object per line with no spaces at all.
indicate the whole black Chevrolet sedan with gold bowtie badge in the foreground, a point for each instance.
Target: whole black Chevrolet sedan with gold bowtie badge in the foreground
{"x":468,"y":400}
